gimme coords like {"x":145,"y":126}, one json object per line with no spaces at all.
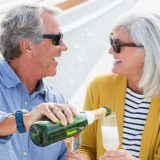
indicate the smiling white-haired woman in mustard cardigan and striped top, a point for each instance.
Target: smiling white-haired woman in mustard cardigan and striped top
{"x":132,"y":91}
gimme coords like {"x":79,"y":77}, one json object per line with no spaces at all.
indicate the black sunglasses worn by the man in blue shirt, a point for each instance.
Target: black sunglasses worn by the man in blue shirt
{"x":56,"y":38}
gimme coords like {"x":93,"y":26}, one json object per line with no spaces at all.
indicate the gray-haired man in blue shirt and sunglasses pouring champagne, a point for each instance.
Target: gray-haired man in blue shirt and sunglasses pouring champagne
{"x":30,"y":40}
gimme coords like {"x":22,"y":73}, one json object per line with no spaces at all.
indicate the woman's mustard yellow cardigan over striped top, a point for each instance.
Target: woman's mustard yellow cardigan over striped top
{"x":110,"y":90}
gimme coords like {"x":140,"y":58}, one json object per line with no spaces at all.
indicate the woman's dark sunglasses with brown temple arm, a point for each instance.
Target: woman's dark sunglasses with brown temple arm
{"x":117,"y":45}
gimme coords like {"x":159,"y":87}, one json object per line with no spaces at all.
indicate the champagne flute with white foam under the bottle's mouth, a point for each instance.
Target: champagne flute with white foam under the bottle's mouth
{"x":110,"y":132}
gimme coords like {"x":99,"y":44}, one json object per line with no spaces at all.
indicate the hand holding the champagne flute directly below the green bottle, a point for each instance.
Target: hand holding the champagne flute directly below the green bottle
{"x":74,"y":155}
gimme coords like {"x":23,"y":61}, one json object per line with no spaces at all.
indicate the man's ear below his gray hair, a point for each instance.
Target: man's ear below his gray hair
{"x":26,"y":47}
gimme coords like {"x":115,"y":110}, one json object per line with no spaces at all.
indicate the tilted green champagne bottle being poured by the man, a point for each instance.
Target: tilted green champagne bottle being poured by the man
{"x":46,"y":132}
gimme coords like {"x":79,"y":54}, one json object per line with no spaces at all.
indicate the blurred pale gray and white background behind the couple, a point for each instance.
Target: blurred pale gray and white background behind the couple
{"x":86,"y":25}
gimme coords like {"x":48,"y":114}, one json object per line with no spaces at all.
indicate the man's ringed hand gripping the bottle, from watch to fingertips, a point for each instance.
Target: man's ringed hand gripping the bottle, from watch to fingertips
{"x":53,"y":111}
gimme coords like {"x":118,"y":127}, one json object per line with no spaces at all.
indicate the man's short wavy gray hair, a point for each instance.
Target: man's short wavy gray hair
{"x":22,"y":22}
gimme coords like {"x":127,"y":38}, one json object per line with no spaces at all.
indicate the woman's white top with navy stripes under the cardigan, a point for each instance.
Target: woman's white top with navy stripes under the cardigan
{"x":135,"y":115}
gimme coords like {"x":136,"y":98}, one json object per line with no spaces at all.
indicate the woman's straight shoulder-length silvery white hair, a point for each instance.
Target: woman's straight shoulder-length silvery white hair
{"x":144,"y":29}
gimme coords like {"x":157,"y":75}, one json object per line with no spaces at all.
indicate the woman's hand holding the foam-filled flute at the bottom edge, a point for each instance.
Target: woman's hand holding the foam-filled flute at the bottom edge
{"x":118,"y":155}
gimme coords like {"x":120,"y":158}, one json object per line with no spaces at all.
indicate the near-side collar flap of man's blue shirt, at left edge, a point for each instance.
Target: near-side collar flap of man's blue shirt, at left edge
{"x":8,"y":75}
